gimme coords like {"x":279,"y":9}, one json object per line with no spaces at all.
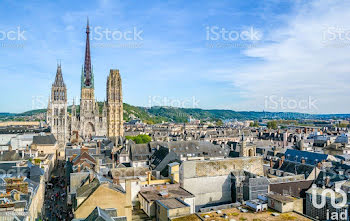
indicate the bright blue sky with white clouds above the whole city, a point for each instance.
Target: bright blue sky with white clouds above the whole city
{"x":292,"y":66}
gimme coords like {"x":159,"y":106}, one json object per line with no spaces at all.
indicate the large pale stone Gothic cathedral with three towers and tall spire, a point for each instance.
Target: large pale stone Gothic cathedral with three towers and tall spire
{"x":89,"y":119}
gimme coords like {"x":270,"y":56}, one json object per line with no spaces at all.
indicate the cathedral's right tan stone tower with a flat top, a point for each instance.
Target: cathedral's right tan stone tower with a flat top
{"x":114,"y":105}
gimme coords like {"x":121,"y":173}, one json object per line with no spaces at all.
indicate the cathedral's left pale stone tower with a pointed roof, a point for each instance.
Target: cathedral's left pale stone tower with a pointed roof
{"x":56,"y":116}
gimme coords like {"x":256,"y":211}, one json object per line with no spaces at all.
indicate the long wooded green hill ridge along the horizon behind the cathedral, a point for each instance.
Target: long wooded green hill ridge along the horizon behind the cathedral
{"x":180,"y":115}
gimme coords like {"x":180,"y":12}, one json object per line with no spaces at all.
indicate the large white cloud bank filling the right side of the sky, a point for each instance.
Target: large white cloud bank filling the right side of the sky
{"x":298,"y":64}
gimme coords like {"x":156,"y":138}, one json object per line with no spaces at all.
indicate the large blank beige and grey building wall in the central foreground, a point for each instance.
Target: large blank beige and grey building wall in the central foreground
{"x":210,"y":181}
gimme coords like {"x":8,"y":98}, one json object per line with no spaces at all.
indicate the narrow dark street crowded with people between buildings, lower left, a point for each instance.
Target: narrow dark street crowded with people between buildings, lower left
{"x":56,"y":197}
